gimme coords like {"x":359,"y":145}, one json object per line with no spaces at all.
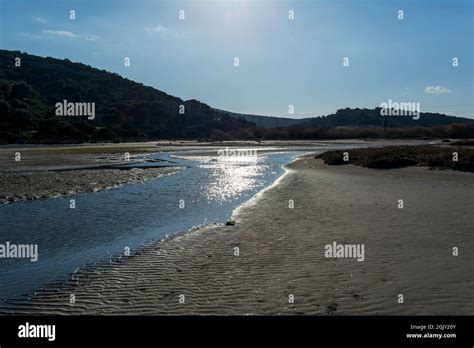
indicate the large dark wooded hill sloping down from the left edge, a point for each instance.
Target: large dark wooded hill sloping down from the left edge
{"x":124,"y":110}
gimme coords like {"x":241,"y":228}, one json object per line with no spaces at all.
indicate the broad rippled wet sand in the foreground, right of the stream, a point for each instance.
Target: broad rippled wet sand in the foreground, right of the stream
{"x":282,"y":251}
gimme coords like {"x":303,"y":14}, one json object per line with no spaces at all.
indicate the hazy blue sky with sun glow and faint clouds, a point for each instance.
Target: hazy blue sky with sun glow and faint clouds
{"x":283,"y":61}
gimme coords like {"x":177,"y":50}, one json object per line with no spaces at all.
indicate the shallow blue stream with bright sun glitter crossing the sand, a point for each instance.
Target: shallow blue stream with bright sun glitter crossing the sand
{"x":104,"y":223}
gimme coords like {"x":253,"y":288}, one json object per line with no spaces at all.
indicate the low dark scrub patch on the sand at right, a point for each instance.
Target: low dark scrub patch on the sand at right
{"x":440,"y":157}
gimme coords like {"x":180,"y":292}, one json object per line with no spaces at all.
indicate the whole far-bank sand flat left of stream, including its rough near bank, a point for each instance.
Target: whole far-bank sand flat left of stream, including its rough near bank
{"x":49,"y":171}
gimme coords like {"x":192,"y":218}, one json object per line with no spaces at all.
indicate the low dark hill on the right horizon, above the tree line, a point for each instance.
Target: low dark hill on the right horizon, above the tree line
{"x":372,"y":118}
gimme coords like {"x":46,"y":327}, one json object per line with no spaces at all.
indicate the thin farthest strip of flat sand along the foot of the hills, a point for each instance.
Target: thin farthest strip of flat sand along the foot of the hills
{"x":61,"y":157}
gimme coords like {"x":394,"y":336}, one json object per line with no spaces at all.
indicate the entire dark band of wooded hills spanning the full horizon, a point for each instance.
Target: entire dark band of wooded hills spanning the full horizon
{"x":125,"y":110}
